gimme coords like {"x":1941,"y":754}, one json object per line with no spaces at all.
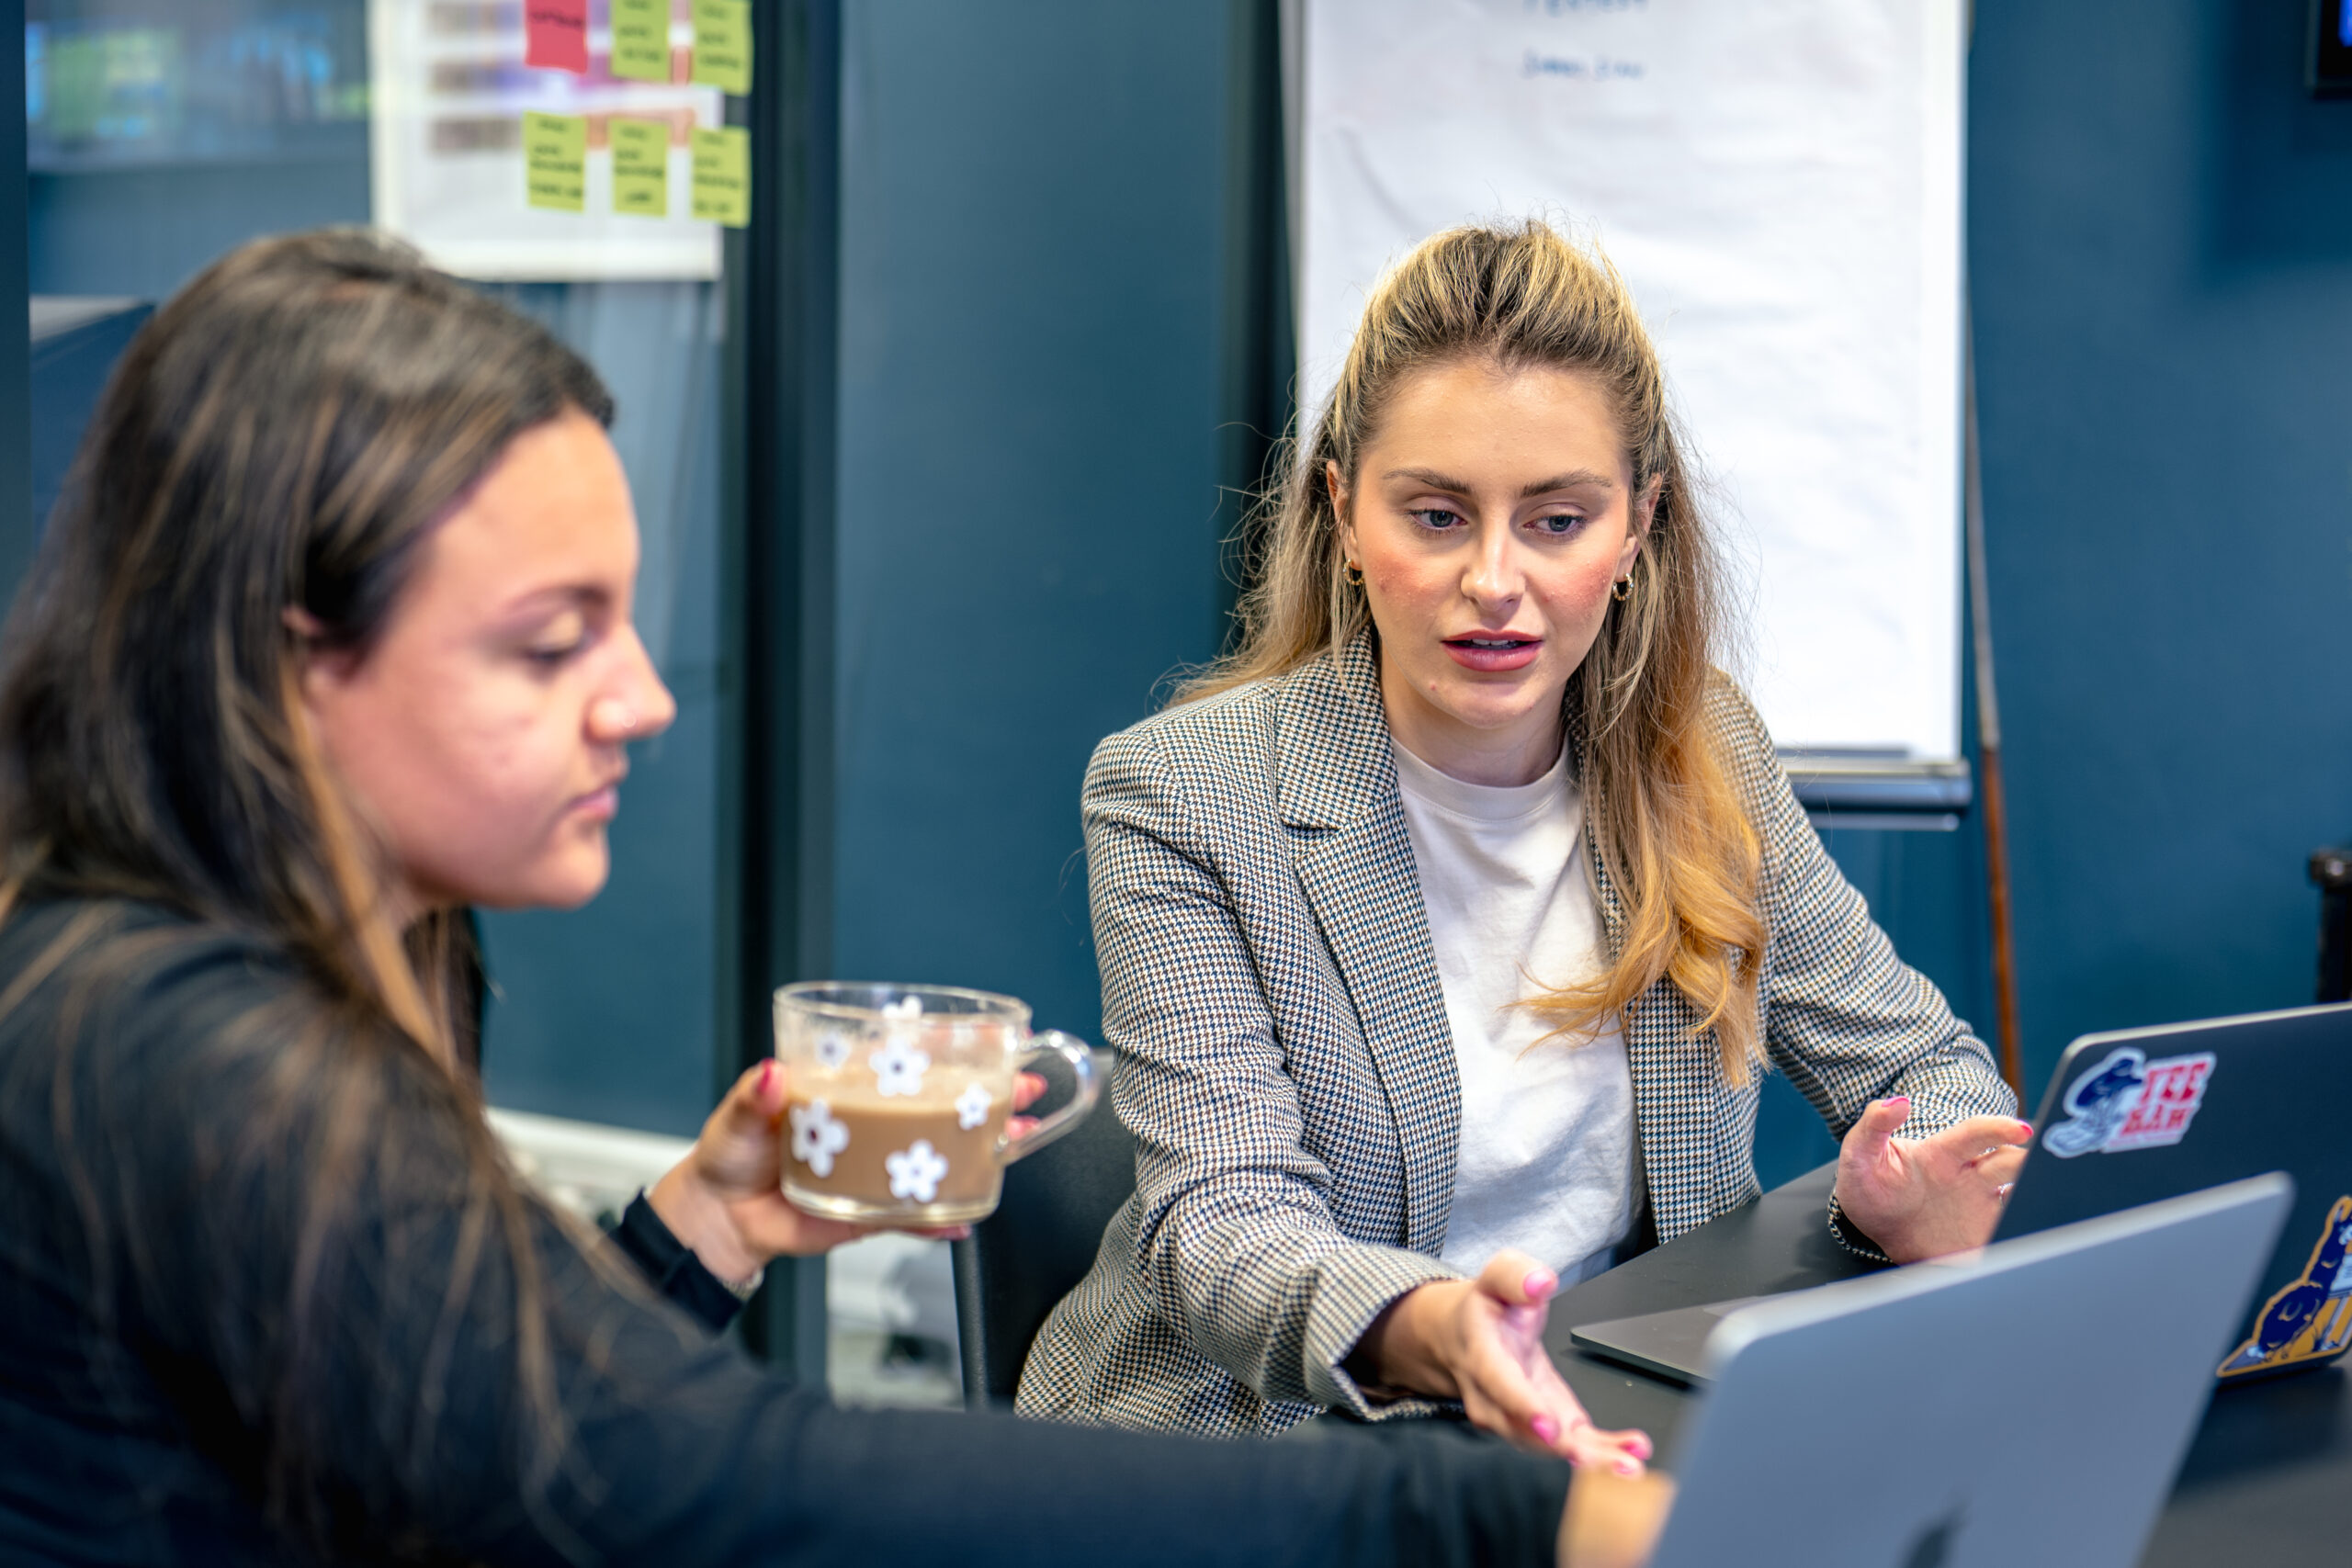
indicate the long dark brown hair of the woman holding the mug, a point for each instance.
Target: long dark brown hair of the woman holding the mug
{"x":283,"y":436}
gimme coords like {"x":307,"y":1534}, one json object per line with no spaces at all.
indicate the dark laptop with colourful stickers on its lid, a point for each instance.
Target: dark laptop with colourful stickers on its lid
{"x":2144,"y":1115}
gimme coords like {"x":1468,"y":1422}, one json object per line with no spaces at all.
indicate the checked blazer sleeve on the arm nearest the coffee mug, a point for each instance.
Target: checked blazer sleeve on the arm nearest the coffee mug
{"x":1236,"y":1233}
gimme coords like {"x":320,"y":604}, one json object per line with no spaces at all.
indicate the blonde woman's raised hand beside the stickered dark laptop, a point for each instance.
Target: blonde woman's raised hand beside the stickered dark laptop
{"x":1932,"y":1195}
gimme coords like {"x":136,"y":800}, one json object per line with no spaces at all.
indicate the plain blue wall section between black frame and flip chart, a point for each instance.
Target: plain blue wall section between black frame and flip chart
{"x":1034,"y":377}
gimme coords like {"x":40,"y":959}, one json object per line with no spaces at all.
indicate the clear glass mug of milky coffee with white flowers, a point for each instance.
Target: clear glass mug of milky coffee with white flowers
{"x":900,"y":1099}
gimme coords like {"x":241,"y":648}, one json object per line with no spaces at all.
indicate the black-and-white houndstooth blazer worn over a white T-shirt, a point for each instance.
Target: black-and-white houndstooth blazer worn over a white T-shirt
{"x":1288,"y":1068}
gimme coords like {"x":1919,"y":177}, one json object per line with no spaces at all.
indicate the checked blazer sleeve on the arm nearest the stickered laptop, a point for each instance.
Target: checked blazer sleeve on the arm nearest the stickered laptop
{"x":1845,"y":1019}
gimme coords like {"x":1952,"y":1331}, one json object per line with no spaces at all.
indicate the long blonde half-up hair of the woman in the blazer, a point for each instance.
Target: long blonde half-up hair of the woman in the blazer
{"x":1662,"y":803}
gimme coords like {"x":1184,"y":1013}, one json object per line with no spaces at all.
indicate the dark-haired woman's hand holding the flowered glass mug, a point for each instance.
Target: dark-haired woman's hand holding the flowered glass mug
{"x":726,"y":1198}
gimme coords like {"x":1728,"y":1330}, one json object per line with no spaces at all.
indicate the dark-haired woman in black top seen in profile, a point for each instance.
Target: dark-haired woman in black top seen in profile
{"x":330,"y":641}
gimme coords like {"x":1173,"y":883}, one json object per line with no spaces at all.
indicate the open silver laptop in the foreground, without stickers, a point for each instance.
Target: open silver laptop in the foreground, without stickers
{"x":2066,"y":1381}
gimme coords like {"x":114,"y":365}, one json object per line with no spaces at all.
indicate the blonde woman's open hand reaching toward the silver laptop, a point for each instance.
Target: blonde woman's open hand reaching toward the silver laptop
{"x":1481,"y":1341}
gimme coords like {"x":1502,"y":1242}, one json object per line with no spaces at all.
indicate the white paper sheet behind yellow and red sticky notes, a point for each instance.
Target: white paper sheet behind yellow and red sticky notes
{"x":450,"y":168}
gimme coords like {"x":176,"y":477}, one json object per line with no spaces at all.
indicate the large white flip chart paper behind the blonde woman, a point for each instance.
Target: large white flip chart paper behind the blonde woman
{"x":1779,"y":182}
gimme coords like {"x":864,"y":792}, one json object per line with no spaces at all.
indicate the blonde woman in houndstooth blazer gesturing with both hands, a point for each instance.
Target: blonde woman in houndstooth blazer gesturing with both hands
{"x":1452,"y":920}
